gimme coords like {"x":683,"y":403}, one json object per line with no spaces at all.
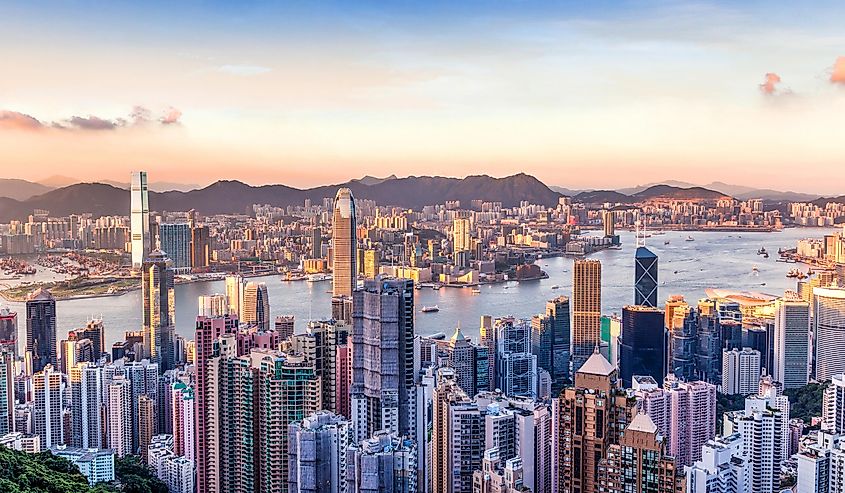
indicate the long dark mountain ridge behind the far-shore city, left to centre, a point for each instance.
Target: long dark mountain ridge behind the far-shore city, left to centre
{"x":237,"y":197}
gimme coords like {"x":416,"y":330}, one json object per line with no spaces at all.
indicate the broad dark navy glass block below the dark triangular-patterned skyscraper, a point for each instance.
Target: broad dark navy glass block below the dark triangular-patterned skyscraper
{"x":642,"y":343}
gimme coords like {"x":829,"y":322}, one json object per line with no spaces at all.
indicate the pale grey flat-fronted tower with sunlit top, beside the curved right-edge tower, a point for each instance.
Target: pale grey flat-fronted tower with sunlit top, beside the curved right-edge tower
{"x":792,"y":341}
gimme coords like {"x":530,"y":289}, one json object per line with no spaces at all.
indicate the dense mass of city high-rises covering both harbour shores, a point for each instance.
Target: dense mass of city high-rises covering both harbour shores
{"x":570,"y":400}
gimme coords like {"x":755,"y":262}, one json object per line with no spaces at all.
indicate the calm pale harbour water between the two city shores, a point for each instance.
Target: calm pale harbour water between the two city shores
{"x":719,"y":260}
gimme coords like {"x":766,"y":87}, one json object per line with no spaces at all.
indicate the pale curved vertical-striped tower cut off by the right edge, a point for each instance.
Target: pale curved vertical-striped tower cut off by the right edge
{"x":829,"y":331}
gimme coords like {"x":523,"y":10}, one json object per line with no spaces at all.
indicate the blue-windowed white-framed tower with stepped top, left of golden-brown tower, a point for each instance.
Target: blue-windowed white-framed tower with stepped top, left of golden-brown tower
{"x":516,"y":366}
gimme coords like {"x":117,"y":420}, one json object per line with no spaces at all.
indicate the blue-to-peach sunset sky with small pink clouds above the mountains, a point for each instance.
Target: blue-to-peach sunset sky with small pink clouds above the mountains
{"x":305,"y":93}
